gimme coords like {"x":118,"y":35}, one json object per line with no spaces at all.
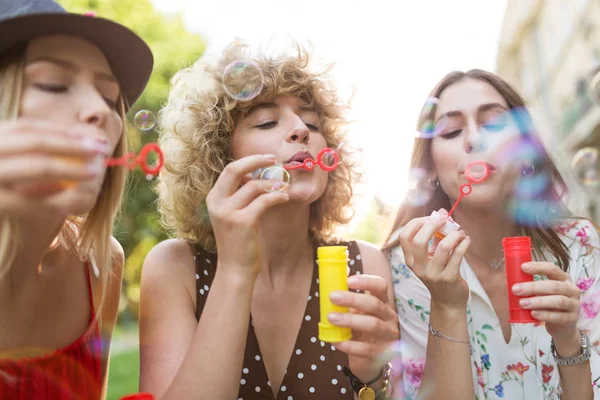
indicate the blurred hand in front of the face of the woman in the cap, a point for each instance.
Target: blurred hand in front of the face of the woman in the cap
{"x":40,"y":159}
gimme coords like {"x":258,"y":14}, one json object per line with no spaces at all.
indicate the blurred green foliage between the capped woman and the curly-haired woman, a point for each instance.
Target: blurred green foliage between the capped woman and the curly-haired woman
{"x":174,"y":48}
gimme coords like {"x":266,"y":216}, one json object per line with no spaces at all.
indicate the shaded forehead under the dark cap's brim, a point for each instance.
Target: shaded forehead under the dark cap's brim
{"x":69,"y":48}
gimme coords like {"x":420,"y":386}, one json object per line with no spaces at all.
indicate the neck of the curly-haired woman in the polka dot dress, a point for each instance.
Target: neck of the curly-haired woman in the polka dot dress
{"x":286,"y":248}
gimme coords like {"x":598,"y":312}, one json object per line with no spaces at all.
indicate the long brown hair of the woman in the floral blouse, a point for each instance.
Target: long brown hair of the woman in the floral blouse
{"x":543,"y":237}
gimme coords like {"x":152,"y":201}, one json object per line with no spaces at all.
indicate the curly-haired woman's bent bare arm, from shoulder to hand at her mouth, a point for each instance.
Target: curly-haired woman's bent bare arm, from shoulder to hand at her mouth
{"x":182,"y":358}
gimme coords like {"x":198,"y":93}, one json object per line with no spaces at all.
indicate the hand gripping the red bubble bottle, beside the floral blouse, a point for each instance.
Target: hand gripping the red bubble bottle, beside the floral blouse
{"x":554,"y":301}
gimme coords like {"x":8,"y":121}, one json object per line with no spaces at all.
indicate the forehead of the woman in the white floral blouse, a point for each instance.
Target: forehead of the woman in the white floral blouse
{"x":467,"y":95}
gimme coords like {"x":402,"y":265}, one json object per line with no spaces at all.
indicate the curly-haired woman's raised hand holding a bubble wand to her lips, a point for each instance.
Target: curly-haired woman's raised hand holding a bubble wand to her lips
{"x":235,"y":207}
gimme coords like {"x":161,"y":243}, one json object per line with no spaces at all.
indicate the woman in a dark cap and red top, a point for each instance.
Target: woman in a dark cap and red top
{"x":64,"y":90}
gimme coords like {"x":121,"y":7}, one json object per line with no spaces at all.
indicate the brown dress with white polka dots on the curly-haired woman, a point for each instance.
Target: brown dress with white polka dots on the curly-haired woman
{"x":315,"y":369}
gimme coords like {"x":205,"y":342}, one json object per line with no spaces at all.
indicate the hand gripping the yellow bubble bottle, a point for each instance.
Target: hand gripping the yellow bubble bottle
{"x":373,"y":321}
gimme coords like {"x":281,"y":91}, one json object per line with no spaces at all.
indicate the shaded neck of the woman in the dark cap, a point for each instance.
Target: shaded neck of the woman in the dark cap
{"x":35,"y":237}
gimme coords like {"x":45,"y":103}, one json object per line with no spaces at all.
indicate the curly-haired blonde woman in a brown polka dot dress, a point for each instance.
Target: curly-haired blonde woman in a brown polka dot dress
{"x":244,"y":325}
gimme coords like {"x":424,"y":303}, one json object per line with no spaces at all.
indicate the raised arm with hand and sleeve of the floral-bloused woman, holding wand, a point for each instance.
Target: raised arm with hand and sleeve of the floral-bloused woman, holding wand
{"x":447,"y":373}
